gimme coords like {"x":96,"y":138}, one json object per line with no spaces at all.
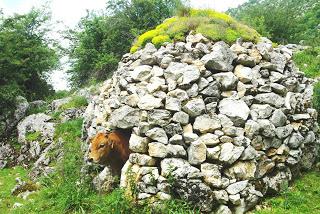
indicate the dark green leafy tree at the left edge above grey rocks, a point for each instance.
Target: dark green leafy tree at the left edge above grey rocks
{"x":26,"y":57}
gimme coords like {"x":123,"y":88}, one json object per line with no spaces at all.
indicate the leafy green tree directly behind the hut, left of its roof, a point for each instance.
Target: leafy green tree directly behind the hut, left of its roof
{"x":102,"y":39}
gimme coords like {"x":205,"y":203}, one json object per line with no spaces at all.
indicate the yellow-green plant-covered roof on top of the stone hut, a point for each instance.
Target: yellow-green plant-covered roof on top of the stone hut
{"x":213,"y":25}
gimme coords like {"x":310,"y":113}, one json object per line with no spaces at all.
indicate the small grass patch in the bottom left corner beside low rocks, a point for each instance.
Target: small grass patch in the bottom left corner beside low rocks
{"x":7,"y":182}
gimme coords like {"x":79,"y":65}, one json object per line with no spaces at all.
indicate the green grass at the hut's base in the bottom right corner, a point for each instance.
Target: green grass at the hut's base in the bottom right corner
{"x":302,"y":197}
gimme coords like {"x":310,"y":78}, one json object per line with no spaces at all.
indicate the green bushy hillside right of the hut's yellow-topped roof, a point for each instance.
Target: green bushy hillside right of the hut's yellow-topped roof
{"x":270,"y":18}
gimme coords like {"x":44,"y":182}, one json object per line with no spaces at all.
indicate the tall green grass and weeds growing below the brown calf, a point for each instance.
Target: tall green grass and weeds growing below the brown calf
{"x":66,"y":191}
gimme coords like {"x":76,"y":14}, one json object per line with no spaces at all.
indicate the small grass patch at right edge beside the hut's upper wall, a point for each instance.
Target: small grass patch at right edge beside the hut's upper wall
{"x":308,"y":61}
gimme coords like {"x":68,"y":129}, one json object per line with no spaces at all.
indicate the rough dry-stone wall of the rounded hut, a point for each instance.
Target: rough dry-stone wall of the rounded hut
{"x":216,"y":125}
